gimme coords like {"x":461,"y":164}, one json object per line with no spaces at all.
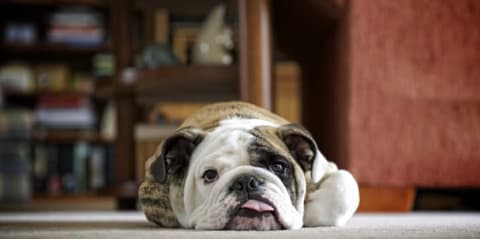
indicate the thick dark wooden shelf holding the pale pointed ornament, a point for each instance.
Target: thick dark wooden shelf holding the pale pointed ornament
{"x":184,"y":83}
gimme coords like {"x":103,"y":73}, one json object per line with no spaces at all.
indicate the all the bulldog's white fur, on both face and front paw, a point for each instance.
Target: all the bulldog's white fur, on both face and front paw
{"x":332,"y":203}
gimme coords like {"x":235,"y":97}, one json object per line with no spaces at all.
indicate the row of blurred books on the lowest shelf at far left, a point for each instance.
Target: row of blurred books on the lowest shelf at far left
{"x":53,"y":169}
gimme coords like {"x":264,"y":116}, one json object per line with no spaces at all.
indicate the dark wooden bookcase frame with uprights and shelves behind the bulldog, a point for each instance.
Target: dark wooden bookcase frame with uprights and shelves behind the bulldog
{"x":177,"y":83}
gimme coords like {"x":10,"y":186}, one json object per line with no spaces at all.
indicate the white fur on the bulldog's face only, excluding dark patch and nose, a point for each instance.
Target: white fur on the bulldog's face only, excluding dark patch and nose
{"x":225,"y":149}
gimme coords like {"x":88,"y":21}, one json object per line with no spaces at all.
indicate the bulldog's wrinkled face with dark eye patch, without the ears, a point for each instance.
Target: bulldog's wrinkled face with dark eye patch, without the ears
{"x":235,"y":182}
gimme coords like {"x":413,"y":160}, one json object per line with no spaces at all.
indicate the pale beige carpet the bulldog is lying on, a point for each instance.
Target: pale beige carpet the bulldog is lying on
{"x":134,"y":226}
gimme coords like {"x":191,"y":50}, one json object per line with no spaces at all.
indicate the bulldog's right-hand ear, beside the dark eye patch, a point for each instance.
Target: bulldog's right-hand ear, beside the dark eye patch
{"x":304,"y":149}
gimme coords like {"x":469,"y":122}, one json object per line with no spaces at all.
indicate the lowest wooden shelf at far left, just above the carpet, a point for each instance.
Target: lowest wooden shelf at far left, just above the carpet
{"x":62,"y":203}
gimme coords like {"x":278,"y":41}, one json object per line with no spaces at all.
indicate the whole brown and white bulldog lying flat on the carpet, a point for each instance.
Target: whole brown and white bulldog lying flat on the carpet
{"x":239,"y":167}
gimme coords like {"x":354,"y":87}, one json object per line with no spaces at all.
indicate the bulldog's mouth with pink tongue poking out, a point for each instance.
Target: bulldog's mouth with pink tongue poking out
{"x":254,"y":214}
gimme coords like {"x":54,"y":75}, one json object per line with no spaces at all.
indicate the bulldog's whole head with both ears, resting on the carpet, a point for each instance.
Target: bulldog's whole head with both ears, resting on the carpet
{"x":237,"y":178}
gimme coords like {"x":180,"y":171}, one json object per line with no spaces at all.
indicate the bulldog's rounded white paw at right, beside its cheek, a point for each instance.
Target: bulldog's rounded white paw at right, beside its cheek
{"x":333,"y":202}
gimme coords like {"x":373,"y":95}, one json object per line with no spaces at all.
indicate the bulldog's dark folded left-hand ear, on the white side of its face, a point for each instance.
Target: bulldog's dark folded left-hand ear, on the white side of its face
{"x":175,"y":153}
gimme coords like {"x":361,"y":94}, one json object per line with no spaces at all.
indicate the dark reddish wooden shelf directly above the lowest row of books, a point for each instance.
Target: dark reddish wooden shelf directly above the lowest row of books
{"x":64,"y":136}
